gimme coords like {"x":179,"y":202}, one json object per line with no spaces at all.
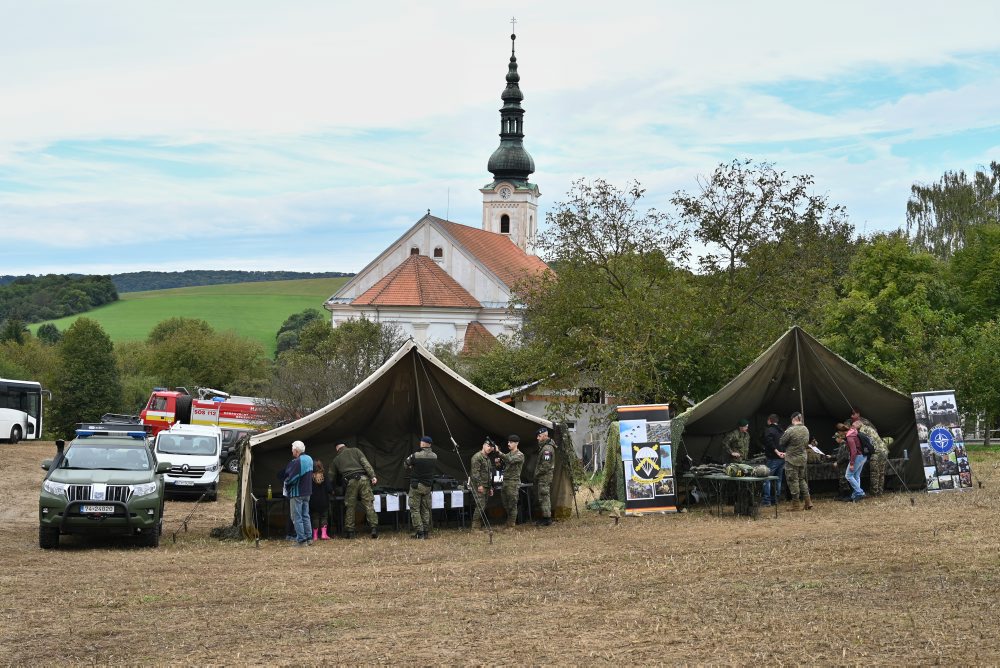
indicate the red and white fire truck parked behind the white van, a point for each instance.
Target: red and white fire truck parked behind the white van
{"x":211,"y":407}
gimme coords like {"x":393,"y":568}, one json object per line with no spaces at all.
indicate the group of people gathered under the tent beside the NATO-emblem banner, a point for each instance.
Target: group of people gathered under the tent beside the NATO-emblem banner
{"x":786,"y":453}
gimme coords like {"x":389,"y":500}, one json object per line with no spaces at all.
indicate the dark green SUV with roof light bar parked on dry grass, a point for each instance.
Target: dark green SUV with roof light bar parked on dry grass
{"x":106,"y":482}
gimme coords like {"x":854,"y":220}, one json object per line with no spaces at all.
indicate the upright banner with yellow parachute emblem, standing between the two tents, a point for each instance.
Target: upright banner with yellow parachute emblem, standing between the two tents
{"x":647,"y":457}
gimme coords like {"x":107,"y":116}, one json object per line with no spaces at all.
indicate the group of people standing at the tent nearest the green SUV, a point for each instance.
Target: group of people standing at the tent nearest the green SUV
{"x":309,"y":486}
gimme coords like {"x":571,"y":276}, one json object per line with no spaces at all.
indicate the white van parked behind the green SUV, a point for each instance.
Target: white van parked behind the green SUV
{"x":193,"y":452}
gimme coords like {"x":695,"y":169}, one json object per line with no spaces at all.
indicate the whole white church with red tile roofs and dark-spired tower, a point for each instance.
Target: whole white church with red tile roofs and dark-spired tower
{"x":444,"y":282}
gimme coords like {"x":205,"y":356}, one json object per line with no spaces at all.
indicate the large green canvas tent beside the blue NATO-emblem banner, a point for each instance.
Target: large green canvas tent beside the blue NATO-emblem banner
{"x":798,"y":373}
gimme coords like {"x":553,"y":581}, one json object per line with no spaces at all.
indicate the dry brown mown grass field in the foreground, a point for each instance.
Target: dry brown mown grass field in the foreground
{"x":899,"y":580}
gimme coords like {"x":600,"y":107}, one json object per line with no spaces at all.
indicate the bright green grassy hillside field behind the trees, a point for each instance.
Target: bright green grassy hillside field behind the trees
{"x":252,"y":310}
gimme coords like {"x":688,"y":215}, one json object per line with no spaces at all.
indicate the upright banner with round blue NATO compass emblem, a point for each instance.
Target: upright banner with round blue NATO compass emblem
{"x":942,"y":443}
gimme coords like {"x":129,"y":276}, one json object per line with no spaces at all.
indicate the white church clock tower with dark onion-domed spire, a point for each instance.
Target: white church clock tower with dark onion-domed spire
{"x":510,"y":203}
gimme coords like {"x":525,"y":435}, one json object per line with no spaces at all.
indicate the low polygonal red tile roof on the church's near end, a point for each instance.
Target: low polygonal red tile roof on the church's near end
{"x":418,"y":281}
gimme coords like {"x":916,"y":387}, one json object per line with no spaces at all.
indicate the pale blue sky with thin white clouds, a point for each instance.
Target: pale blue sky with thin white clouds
{"x":309,"y":135}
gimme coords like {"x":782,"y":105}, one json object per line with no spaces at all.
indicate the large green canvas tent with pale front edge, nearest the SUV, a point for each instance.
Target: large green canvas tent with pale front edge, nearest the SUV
{"x":412,"y":394}
